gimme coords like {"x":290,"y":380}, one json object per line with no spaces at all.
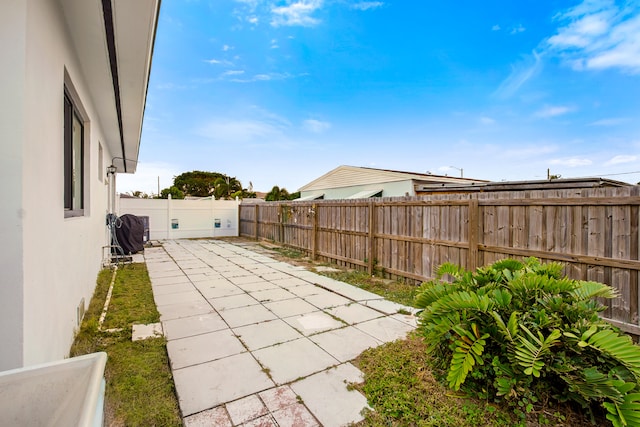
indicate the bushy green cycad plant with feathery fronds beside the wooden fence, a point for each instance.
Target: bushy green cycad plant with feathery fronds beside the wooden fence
{"x":522,"y":332}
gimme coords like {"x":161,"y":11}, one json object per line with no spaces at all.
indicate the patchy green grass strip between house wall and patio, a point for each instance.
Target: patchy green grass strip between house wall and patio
{"x":140,"y":389}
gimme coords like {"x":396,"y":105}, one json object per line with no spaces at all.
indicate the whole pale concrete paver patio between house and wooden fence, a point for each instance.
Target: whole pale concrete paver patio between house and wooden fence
{"x":264,"y":343}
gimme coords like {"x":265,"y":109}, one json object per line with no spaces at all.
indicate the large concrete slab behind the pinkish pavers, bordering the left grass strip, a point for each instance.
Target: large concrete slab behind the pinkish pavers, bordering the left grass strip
{"x":210,"y":384}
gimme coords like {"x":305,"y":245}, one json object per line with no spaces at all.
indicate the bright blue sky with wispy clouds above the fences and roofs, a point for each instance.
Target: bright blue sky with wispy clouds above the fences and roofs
{"x":281,"y":92}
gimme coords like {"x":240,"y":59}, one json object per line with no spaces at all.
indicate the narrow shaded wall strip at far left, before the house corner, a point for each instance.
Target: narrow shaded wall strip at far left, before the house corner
{"x":12,"y":83}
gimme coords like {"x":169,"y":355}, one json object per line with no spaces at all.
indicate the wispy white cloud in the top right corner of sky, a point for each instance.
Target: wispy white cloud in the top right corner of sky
{"x":598,"y":34}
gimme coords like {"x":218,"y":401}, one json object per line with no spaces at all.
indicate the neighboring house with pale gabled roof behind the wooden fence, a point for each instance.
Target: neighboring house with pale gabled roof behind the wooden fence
{"x":350,"y":182}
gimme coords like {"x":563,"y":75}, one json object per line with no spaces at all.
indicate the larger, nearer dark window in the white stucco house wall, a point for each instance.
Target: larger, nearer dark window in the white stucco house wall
{"x":73,"y":159}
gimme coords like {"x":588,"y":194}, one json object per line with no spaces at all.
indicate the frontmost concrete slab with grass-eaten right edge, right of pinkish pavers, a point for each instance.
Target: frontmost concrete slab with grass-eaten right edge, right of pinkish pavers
{"x":328,"y":398}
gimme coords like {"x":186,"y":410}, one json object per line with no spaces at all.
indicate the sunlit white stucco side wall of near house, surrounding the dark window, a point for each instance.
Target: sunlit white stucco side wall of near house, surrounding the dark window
{"x":49,"y":262}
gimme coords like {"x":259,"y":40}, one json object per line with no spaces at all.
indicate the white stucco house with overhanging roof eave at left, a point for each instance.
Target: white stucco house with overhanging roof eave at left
{"x":74,"y":83}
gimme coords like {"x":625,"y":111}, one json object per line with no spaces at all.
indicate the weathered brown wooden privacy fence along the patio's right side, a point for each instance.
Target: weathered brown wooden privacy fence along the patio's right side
{"x":594,"y":232}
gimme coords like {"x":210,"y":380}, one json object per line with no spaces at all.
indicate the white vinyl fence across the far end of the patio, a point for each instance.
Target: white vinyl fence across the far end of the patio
{"x":178,"y":219}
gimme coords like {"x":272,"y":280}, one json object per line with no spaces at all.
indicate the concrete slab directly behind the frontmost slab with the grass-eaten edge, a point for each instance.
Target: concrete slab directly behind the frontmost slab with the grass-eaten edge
{"x":294,"y":359}
